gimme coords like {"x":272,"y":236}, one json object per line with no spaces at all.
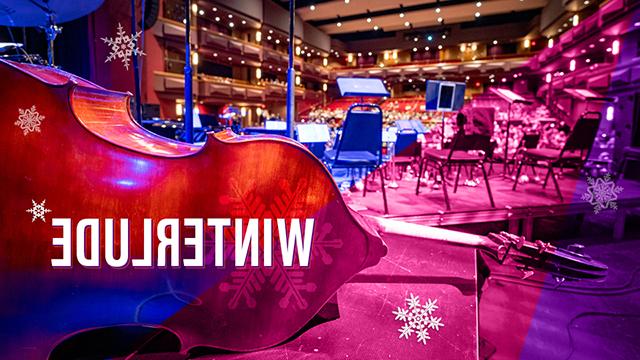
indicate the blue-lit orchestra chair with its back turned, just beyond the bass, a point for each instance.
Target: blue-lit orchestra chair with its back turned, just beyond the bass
{"x":359,"y":145}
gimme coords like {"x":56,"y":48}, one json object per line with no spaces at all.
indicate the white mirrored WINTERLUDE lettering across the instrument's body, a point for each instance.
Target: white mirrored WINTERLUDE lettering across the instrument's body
{"x":91,"y":243}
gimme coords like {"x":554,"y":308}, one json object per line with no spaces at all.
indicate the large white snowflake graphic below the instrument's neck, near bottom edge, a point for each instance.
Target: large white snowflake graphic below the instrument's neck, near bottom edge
{"x":417,"y":318}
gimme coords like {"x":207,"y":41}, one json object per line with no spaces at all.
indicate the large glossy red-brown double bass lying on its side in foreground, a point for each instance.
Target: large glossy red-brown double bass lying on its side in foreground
{"x":70,"y":149}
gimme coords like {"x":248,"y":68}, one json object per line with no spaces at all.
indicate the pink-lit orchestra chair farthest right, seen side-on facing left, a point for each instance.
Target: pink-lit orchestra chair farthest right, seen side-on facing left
{"x":575,"y":151}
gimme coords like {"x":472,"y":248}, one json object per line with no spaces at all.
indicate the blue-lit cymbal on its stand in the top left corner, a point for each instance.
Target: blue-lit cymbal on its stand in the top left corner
{"x":43,"y":14}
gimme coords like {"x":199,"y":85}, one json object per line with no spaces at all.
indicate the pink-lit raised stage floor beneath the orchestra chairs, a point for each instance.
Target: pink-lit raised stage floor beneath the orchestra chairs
{"x":471,"y":204}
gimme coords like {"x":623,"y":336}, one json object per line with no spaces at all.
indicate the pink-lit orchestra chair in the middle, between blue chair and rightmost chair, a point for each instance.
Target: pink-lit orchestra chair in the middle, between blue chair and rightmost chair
{"x":458,"y":155}
